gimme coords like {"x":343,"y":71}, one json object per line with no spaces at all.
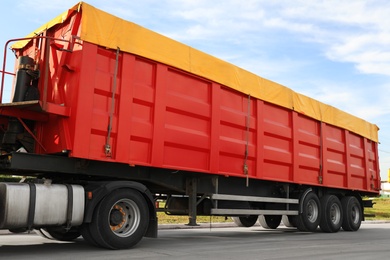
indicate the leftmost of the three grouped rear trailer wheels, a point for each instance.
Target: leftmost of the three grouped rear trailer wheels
{"x":309,"y":218}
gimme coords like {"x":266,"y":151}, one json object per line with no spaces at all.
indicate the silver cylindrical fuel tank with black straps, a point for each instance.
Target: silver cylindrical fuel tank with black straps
{"x":25,"y":205}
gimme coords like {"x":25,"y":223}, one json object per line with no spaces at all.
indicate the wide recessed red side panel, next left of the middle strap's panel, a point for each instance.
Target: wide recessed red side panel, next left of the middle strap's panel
{"x":187,"y":121}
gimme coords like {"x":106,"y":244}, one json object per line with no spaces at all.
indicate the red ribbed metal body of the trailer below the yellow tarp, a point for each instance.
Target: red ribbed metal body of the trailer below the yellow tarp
{"x":170,"y":118}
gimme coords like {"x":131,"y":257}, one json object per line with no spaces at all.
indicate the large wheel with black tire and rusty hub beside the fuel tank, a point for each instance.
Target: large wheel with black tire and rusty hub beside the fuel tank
{"x":120,"y":220}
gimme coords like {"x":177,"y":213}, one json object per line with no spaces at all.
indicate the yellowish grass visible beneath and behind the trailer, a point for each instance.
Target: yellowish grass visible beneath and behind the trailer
{"x":380,"y":211}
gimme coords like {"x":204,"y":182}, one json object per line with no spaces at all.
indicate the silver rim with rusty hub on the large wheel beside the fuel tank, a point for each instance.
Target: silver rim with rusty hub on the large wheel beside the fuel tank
{"x":124,"y":218}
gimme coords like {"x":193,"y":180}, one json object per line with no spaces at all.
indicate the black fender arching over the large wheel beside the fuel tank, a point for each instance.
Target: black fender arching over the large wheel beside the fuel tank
{"x":100,"y":190}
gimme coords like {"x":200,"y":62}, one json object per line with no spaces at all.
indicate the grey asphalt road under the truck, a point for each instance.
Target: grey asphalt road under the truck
{"x":372,"y":241}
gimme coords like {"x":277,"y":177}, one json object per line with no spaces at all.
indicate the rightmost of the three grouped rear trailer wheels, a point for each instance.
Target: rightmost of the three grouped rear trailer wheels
{"x":352,"y":212}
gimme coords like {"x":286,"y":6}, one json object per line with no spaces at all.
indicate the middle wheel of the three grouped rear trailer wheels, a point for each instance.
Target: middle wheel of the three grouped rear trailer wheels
{"x":332,"y":214}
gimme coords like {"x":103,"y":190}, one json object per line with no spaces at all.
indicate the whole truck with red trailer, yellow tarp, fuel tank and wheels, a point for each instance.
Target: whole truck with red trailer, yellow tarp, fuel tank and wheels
{"x":108,"y":119}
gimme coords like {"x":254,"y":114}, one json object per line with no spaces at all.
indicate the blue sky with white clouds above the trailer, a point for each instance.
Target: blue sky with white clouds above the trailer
{"x":335,"y":51}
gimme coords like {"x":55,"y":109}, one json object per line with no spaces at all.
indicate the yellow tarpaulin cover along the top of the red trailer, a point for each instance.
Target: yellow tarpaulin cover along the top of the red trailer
{"x":104,"y":29}
